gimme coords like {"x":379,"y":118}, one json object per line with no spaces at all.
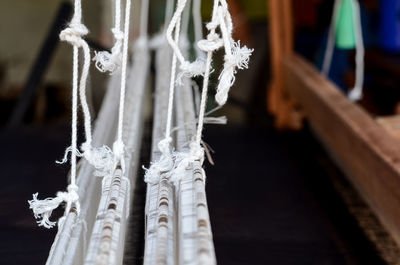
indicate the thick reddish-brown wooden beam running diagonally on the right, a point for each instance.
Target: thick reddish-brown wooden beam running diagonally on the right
{"x":362,"y":148}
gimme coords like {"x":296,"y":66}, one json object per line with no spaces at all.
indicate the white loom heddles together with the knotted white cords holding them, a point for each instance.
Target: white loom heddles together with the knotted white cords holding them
{"x":178,"y":229}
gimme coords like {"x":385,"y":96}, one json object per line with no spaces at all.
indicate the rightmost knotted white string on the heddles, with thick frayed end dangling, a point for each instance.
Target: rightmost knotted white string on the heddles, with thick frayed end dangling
{"x":236,"y":57}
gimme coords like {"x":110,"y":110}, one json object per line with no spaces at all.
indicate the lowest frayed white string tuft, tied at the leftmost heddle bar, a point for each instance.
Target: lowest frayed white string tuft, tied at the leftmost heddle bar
{"x":42,"y":209}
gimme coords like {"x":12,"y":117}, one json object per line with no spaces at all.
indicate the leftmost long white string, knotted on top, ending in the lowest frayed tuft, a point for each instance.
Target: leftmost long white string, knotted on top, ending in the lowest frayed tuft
{"x":43,"y":209}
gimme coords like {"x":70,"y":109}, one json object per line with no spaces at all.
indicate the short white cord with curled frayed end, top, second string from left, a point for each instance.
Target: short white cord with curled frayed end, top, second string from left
{"x":110,"y":62}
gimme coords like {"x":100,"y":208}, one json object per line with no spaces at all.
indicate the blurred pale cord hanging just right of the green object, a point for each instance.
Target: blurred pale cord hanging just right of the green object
{"x":356,"y":93}
